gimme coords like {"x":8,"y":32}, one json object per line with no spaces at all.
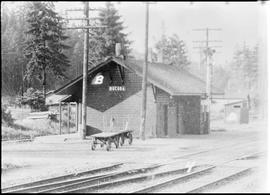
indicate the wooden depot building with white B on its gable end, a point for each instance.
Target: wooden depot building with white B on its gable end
{"x":174,"y":98}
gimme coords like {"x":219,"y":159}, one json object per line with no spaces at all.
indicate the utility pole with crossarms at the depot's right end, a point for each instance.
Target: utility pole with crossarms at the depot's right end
{"x":208,"y":51}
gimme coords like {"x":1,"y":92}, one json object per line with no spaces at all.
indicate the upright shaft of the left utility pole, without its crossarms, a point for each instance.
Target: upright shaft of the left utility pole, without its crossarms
{"x":85,"y":68}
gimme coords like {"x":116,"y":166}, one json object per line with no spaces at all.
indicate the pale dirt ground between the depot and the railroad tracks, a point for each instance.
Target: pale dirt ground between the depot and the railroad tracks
{"x":38,"y":160}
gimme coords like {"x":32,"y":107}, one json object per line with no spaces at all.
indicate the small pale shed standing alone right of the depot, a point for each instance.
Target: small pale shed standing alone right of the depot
{"x":237,"y":112}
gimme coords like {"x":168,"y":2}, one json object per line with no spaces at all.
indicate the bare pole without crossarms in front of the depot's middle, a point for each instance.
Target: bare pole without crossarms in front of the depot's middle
{"x":144,"y":81}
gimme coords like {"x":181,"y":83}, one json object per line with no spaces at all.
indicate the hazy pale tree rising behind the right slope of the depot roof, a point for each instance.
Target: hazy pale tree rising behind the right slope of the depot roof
{"x":172,"y":50}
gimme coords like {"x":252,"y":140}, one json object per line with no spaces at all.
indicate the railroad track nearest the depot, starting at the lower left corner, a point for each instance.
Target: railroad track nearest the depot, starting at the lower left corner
{"x":60,"y":184}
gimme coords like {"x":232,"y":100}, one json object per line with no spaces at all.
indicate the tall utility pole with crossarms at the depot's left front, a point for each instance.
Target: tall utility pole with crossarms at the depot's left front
{"x":86,"y":19}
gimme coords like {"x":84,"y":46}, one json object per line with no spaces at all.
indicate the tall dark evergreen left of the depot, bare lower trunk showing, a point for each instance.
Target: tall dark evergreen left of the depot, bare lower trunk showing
{"x":44,"y":47}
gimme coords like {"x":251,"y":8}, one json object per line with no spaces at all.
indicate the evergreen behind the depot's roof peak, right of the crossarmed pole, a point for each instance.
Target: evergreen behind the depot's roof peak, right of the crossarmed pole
{"x":103,"y":40}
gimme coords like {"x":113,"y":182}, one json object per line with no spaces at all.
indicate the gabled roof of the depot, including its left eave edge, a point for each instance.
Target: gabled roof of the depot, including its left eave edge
{"x":171,"y":79}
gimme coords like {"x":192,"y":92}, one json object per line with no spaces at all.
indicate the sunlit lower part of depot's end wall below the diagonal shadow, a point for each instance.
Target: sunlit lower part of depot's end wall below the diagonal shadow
{"x":129,"y":109}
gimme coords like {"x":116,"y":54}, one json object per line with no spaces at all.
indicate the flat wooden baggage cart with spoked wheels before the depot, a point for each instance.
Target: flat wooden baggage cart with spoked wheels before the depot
{"x":106,"y":138}
